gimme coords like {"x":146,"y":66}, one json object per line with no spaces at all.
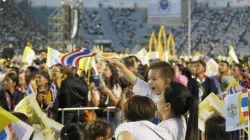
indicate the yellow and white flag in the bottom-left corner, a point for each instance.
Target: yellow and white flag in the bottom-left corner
{"x":11,"y":128}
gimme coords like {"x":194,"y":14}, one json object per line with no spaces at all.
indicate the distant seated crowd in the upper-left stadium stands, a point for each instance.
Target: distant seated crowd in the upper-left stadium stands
{"x":18,"y":27}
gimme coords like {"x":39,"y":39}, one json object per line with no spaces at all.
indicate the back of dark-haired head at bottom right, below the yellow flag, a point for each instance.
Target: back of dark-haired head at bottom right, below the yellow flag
{"x":215,"y":129}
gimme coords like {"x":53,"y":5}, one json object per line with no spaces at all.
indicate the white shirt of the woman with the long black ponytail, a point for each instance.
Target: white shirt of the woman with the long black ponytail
{"x":177,"y":126}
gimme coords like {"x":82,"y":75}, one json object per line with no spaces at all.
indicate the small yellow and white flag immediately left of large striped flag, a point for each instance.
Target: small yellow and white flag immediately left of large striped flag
{"x":53,"y":57}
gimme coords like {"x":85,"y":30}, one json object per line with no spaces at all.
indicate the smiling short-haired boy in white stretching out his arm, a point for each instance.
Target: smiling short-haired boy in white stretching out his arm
{"x":159,"y":76}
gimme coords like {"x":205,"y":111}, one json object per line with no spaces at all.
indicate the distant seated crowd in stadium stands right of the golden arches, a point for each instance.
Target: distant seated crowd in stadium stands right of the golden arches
{"x":213,"y":30}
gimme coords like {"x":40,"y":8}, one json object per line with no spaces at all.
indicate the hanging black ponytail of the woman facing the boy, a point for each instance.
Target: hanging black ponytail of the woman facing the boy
{"x":192,"y":122}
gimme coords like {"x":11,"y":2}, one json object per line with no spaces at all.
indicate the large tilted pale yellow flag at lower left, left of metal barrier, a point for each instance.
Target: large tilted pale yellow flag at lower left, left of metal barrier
{"x":30,"y":107}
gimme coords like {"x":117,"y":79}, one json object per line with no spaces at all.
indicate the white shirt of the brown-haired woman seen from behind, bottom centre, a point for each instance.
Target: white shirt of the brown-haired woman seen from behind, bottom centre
{"x":140,"y":131}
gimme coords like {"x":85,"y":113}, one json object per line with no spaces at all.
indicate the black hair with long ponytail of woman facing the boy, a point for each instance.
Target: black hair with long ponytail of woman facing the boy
{"x":181,"y":102}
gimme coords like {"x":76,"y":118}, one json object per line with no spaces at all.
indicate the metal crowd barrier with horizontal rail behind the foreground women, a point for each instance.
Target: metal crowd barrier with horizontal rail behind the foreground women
{"x":85,"y":108}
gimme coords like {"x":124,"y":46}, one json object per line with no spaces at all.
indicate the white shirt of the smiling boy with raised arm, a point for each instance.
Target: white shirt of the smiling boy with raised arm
{"x":142,"y":88}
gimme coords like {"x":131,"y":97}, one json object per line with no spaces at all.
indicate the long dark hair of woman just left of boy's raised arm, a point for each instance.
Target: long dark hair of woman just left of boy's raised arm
{"x":114,"y":79}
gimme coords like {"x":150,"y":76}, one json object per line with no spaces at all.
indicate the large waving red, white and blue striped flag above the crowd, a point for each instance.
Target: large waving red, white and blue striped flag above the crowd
{"x":73,"y":58}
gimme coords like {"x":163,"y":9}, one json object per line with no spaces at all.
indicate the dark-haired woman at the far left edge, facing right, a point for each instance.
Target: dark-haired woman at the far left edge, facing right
{"x":10,"y":96}
